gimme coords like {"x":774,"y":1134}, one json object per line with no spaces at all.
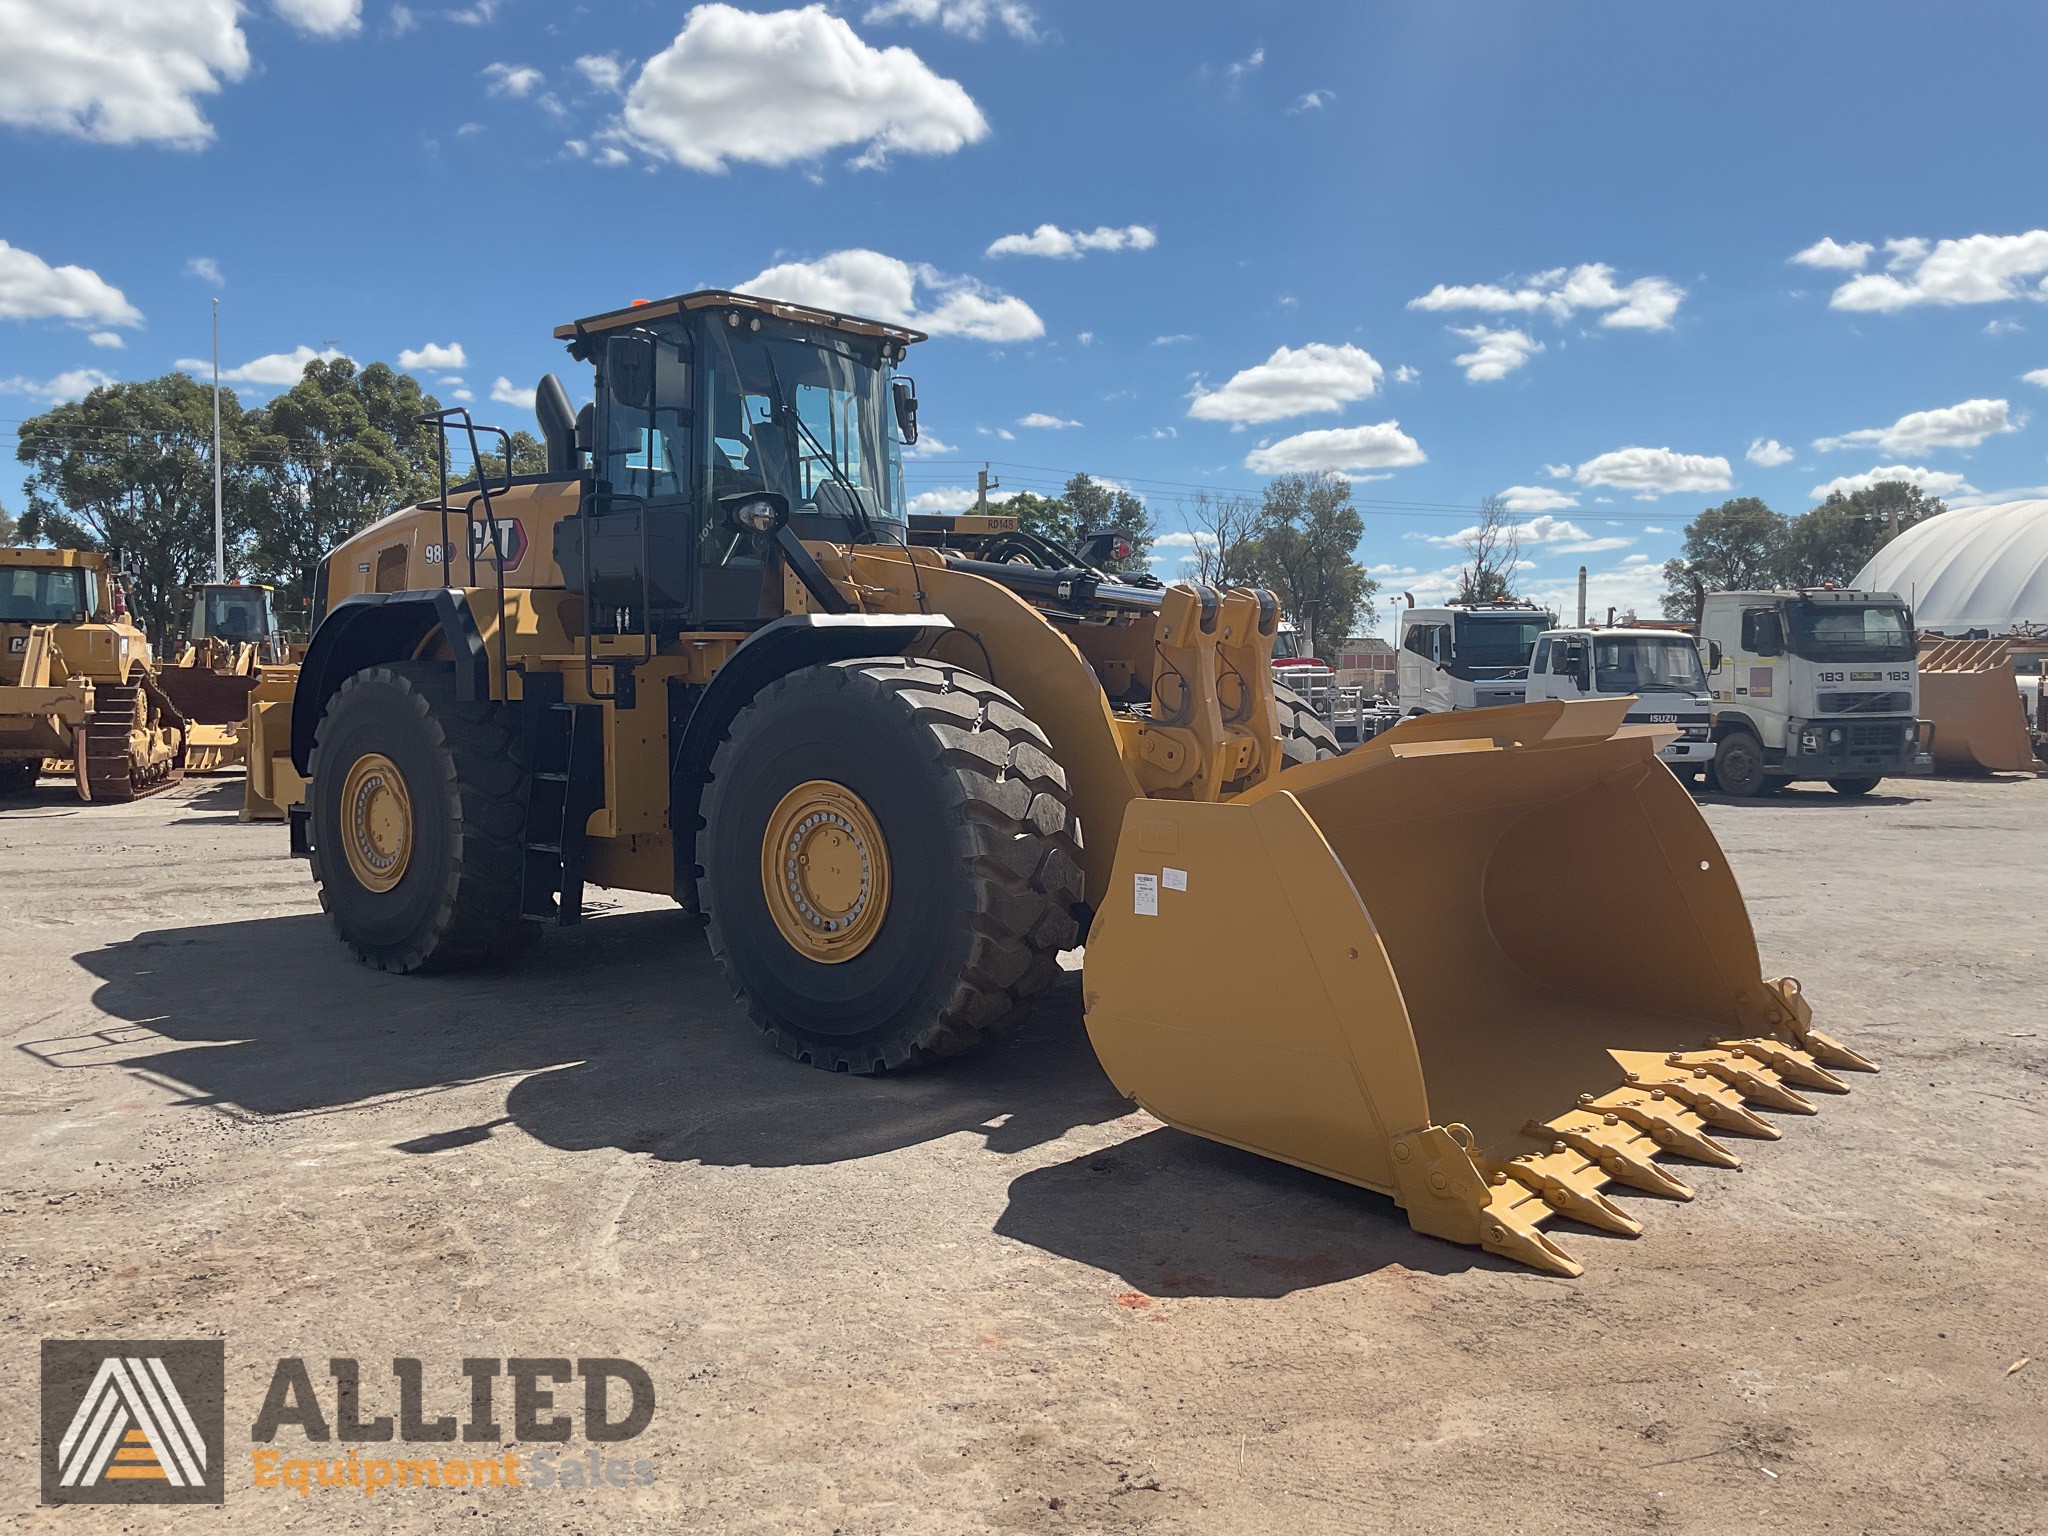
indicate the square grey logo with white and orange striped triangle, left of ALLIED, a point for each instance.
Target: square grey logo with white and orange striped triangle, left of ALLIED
{"x":134,"y":1420}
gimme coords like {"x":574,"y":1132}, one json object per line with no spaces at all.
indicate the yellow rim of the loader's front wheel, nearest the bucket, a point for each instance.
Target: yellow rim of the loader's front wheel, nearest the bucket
{"x":826,"y":871}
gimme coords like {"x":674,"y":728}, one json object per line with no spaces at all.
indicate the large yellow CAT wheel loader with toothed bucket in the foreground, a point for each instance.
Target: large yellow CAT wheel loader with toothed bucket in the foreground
{"x":898,"y":765}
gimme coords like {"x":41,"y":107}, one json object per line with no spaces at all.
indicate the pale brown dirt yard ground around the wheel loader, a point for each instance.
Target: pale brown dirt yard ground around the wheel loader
{"x":994,"y":1297}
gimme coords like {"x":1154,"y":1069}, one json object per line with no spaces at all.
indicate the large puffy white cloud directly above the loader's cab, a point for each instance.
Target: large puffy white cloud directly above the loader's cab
{"x":785,"y":87}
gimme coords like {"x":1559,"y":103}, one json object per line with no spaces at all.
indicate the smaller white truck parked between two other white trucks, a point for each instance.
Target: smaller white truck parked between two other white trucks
{"x":1660,"y":667}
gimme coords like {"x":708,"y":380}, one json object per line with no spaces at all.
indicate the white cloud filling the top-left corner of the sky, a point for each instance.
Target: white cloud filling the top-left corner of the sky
{"x":118,"y":73}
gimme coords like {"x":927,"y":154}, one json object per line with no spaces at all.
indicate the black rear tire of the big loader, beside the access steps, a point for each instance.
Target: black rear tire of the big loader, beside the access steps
{"x":456,"y":898}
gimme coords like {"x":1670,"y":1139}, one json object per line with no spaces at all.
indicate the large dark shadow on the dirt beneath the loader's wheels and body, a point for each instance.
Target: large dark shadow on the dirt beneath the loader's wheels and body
{"x":620,"y":1033}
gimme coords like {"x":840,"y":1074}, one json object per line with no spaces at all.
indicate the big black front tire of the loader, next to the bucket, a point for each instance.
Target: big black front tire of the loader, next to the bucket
{"x":976,"y":851}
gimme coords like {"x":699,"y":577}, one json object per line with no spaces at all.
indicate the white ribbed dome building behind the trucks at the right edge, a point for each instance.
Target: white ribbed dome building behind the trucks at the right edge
{"x":1983,"y":568}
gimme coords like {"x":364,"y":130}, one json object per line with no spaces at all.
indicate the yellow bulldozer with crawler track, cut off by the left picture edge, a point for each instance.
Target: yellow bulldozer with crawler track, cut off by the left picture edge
{"x":79,"y":681}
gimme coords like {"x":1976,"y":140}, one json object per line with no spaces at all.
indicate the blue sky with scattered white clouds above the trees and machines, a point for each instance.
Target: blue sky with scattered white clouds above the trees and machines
{"x":1621,"y":261}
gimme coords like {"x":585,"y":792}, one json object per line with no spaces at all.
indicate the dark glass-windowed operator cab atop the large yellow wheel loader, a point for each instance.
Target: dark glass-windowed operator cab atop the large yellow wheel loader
{"x":724,"y":431}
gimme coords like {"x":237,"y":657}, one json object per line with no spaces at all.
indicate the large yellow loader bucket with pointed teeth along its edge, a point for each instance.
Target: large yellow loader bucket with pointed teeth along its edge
{"x":1488,"y":964}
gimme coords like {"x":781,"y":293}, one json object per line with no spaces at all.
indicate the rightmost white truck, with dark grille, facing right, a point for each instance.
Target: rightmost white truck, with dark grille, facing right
{"x":1814,"y":683}
